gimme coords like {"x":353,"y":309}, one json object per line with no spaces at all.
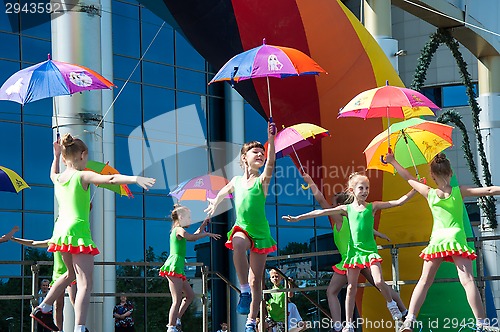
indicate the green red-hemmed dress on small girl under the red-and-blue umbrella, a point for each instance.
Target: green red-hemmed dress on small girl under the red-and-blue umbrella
{"x":174,"y":265}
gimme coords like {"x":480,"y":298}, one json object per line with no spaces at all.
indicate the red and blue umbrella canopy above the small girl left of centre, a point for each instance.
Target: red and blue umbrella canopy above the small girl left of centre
{"x":199,"y":188}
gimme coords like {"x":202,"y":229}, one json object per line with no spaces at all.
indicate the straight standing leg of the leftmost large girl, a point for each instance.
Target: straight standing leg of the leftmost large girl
{"x":84,"y":269}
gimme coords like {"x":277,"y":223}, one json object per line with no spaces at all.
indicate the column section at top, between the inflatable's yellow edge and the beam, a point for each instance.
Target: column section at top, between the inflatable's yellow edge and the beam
{"x":378,"y":21}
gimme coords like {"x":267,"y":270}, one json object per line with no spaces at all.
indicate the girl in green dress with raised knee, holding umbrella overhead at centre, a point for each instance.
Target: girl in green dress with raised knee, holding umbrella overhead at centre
{"x":251,"y":229}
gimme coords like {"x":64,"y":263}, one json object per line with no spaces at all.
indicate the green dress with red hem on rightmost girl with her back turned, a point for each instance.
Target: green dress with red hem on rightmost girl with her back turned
{"x":448,"y":236}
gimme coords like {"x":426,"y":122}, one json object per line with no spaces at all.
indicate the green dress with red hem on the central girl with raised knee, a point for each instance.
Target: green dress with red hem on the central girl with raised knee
{"x":251,"y":217}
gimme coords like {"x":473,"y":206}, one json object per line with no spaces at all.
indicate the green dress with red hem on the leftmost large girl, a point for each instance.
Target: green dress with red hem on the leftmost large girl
{"x":72,"y":229}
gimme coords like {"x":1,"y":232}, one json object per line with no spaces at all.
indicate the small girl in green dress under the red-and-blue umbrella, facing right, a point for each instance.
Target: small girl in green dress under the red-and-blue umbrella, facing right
{"x":173,"y":269}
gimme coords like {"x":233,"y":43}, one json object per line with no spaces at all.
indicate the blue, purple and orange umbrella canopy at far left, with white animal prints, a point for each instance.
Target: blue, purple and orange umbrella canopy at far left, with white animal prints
{"x":49,"y":79}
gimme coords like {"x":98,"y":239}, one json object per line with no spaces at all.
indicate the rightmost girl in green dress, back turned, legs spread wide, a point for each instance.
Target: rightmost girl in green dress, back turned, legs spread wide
{"x":448,"y":240}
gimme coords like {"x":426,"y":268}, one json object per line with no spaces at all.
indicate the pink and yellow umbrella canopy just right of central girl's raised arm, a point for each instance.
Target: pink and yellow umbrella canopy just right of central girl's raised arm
{"x":296,"y":137}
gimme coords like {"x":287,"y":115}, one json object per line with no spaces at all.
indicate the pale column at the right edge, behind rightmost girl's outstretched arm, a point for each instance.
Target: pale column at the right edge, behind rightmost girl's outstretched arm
{"x":489,"y":122}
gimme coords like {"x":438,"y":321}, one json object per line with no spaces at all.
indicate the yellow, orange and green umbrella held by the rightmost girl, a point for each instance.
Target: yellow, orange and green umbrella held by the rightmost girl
{"x":416,"y":142}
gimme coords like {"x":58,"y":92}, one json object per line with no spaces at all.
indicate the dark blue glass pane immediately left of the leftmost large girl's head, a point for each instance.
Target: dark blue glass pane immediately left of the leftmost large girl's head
{"x":37,"y":159}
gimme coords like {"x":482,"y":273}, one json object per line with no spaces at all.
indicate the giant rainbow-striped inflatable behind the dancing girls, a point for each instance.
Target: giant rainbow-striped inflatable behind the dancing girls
{"x":328,"y":32}
